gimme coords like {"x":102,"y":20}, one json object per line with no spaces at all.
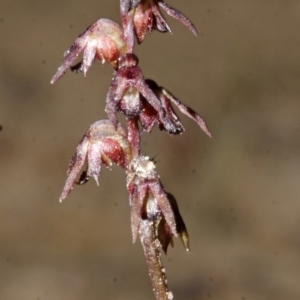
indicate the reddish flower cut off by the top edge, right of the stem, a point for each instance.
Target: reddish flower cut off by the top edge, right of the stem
{"x":148,"y":17}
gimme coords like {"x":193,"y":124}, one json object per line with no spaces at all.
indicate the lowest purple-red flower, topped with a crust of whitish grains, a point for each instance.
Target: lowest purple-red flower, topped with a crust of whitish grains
{"x":149,"y":201}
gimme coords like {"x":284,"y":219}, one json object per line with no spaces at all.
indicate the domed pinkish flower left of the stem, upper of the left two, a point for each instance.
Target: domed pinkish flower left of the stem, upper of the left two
{"x":103,"y":40}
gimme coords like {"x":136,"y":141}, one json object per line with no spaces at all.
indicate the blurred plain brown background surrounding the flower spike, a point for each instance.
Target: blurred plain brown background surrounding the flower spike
{"x":238,"y":192}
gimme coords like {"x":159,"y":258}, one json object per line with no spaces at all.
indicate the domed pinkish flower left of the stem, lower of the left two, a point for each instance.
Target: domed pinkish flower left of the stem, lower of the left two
{"x":101,"y":144}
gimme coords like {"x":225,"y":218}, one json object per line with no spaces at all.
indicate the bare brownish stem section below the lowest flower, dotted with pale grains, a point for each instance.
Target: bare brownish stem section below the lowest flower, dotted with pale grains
{"x":151,"y":247}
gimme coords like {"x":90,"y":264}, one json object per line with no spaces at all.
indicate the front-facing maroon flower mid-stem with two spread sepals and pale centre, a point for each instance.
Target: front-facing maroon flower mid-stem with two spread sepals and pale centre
{"x":124,"y":93}
